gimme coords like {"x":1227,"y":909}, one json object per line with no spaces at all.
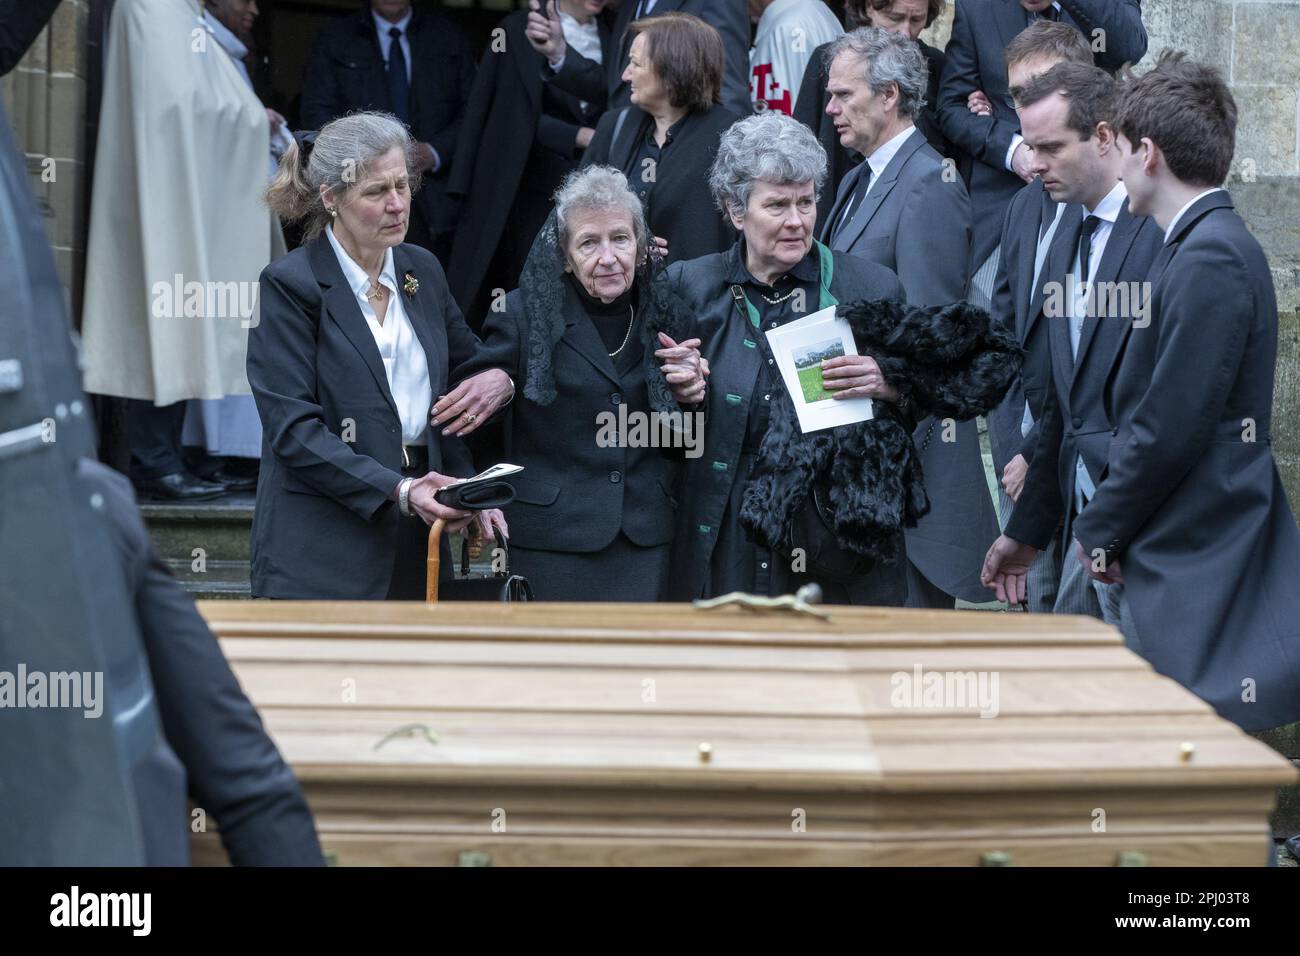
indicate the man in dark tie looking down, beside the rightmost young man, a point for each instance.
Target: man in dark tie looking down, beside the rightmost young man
{"x":1095,"y":271}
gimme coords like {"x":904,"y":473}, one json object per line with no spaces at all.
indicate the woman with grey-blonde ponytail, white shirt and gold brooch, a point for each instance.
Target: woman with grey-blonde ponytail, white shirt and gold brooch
{"x":350,"y":362}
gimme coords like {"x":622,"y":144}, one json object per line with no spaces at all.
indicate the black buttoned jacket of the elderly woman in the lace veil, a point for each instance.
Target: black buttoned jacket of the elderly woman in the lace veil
{"x":574,"y":495}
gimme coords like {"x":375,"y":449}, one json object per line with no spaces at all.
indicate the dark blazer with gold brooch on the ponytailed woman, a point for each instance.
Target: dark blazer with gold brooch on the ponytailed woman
{"x":324,"y":526}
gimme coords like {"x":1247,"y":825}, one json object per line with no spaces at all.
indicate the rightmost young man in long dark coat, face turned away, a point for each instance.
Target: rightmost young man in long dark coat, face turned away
{"x":1190,"y":525}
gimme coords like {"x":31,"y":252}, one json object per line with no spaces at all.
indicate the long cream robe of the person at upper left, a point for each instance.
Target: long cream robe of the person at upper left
{"x":179,"y":232}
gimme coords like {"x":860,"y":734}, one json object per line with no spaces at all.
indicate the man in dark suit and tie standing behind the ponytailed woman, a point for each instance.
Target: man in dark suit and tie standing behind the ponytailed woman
{"x":409,"y":63}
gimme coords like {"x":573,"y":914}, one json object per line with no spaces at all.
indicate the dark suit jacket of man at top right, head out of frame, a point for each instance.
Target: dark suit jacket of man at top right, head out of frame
{"x":981,"y":32}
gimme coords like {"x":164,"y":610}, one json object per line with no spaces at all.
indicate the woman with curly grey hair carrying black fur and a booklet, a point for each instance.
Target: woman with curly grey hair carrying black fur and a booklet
{"x":768,"y":508}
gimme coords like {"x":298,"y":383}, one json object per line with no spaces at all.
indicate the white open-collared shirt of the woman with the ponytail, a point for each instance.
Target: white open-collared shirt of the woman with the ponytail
{"x":405,"y":362}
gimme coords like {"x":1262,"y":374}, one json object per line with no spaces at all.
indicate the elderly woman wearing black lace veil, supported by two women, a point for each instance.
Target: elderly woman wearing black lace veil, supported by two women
{"x":605,"y":413}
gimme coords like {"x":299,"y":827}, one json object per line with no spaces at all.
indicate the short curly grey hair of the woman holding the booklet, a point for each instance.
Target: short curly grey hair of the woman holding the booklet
{"x":768,"y":146}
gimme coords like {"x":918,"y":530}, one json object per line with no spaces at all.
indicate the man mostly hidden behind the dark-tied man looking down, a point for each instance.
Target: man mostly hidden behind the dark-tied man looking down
{"x":1029,"y":228}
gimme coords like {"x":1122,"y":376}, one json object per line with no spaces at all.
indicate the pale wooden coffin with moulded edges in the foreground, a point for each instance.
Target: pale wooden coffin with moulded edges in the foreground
{"x":668,"y":736}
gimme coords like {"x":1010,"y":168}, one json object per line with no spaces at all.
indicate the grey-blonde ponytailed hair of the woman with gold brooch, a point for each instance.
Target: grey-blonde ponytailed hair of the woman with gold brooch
{"x":339,"y":159}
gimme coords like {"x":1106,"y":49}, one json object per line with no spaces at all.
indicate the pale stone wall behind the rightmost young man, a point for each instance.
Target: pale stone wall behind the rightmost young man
{"x":1256,"y":45}
